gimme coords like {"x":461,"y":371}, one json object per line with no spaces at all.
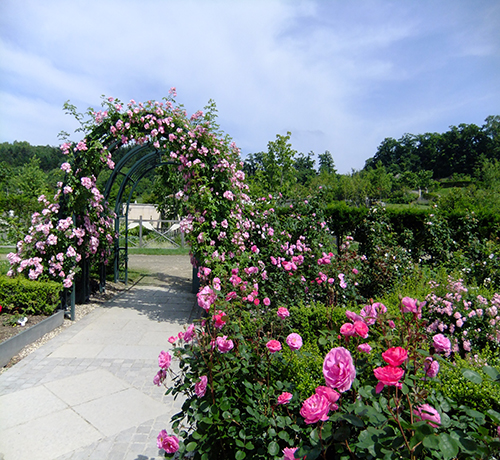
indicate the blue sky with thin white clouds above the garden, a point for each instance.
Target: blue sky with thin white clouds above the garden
{"x":340,"y":75}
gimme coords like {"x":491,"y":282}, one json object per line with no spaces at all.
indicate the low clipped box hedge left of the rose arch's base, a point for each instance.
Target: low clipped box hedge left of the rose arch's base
{"x":19,"y":295}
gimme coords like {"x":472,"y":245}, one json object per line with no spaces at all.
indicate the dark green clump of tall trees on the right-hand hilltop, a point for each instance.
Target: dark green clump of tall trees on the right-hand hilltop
{"x":460,"y":150}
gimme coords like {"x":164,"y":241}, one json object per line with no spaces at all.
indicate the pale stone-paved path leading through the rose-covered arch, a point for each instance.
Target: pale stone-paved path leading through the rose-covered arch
{"x":88,"y":393}
